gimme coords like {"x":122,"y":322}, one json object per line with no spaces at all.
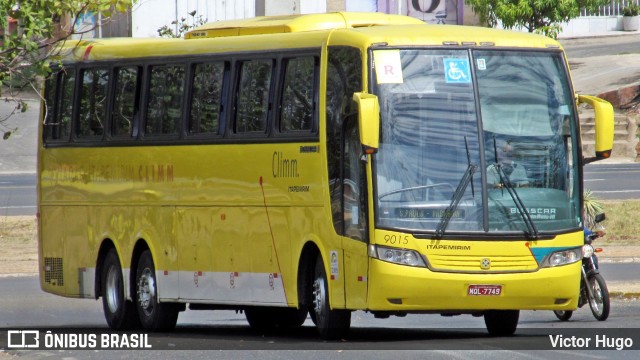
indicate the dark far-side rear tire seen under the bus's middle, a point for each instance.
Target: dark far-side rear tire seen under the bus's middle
{"x":265,"y":318}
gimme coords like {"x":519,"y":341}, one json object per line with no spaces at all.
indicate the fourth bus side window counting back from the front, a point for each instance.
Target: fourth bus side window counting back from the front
{"x":164,"y":109}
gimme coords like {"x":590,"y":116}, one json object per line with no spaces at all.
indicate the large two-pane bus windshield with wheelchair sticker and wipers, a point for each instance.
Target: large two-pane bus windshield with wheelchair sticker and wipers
{"x":475,"y":141}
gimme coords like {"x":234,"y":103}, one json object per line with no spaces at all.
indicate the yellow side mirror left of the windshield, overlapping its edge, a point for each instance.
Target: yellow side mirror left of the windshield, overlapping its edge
{"x":368,"y":121}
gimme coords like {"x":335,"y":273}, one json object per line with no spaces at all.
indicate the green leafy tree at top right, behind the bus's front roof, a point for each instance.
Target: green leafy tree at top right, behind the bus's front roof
{"x":539,"y":16}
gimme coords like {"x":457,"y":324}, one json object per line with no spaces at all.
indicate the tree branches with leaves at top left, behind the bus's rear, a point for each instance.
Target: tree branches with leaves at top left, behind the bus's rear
{"x":32,"y":33}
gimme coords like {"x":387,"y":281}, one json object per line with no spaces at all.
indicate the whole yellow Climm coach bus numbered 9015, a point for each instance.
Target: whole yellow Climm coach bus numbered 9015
{"x":315,"y":165}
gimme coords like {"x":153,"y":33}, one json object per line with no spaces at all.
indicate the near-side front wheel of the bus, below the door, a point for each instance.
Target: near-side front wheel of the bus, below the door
{"x":331,"y":324}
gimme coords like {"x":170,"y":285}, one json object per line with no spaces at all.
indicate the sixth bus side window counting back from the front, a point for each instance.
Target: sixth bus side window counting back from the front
{"x":93,"y":103}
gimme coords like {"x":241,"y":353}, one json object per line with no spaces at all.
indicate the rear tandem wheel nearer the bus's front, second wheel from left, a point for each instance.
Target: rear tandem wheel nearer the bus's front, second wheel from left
{"x":154,"y":316}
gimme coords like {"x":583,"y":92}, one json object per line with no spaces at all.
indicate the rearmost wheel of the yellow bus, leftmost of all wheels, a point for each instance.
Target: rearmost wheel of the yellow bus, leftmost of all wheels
{"x":119,"y":312}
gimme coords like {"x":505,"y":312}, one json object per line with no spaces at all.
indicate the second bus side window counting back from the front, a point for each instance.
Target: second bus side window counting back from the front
{"x":252,"y":96}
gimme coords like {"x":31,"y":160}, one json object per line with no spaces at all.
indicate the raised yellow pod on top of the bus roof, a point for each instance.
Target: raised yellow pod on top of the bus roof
{"x":297,"y":23}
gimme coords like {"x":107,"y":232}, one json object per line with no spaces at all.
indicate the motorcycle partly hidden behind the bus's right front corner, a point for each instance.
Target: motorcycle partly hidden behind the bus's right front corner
{"x":593,"y":289}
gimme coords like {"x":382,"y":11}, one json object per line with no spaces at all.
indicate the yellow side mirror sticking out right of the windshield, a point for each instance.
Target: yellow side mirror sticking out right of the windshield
{"x":604,"y":126}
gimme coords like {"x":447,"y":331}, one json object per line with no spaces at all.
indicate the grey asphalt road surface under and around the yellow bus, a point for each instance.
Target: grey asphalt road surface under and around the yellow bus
{"x":26,"y":306}
